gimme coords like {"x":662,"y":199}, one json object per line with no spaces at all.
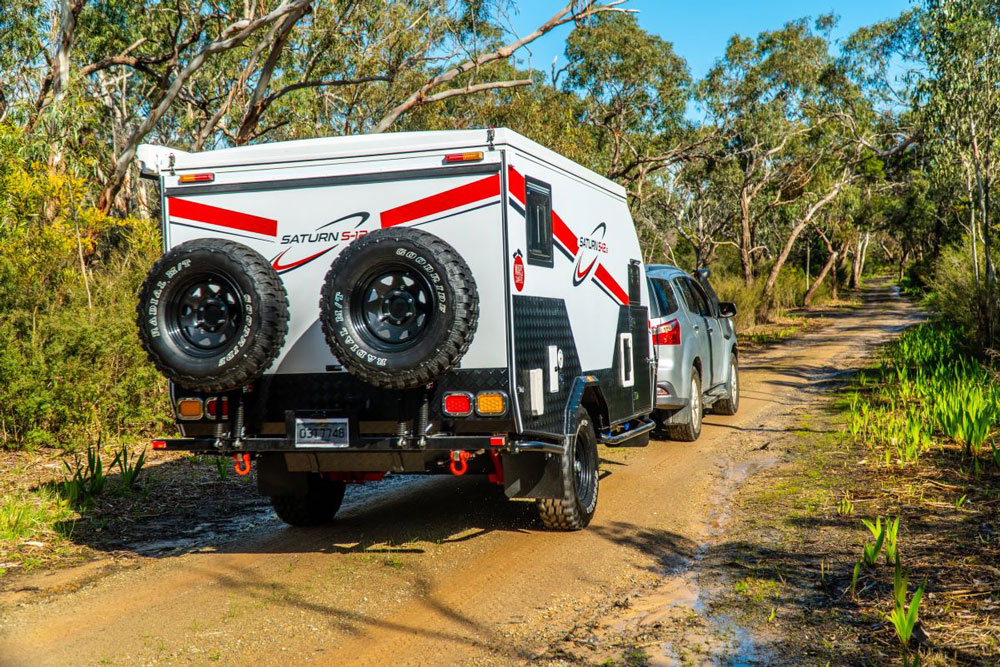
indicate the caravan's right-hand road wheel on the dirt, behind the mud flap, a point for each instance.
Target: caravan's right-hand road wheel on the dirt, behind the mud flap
{"x":580,"y":481}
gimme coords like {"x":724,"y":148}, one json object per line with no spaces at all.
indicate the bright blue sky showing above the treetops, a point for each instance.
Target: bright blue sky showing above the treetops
{"x":700,"y":29}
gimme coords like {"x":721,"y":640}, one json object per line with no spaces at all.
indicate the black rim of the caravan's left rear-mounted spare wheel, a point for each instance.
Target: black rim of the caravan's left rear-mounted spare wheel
{"x":206,"y":315}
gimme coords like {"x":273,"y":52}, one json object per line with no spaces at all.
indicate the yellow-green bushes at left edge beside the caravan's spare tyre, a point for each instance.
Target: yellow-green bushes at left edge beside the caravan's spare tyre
{"x":71,"y":370}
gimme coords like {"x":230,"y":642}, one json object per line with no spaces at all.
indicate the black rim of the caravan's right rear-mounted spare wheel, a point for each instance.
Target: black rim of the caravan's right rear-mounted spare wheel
{"x":394,"y":307}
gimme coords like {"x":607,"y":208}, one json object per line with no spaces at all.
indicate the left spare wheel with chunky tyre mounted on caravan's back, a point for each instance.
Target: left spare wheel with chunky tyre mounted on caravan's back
{"x":212,"y":315}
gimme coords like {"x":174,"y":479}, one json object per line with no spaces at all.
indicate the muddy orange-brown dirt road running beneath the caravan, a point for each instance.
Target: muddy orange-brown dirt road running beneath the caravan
{"x":441,"y":570}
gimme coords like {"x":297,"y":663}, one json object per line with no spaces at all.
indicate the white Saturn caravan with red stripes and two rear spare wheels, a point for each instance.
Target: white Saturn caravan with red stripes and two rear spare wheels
{"x":429,"y":302}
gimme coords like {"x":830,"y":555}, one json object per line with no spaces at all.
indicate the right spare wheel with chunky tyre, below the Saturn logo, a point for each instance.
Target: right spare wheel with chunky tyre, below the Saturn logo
{"x":399,"y":308}
